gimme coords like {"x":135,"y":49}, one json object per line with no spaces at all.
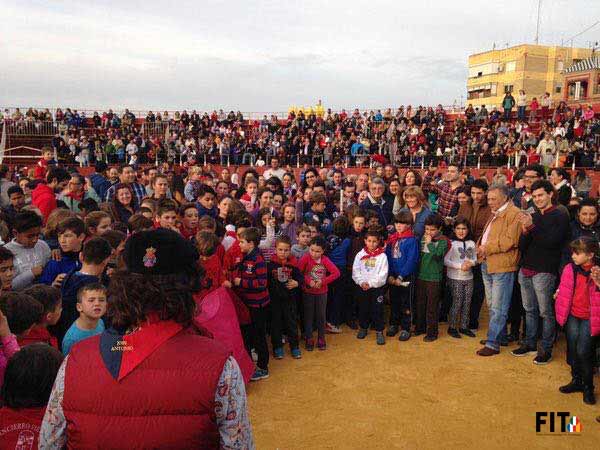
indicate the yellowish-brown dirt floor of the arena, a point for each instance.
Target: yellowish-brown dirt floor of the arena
{"x":414,"y":395}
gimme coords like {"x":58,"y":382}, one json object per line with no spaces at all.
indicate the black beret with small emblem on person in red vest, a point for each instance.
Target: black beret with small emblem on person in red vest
{"x":159,"y":252}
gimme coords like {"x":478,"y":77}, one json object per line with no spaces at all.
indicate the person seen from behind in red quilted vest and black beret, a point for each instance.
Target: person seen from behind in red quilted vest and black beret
{"x":158,"y":382}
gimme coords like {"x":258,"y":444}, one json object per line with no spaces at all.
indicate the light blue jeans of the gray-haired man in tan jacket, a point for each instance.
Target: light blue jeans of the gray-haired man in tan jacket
{"x":498,"y":293}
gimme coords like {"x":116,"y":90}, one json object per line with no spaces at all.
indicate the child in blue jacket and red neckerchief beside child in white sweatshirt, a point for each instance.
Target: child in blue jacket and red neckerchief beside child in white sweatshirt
{"x":403,"y":257}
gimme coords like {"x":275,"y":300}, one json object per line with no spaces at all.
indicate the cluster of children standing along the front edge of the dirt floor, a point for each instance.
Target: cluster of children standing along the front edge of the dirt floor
{"x":298,"y":267}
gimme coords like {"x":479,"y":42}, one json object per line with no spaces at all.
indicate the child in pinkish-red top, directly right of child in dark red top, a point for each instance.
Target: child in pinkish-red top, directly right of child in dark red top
{"x":319,"y":272}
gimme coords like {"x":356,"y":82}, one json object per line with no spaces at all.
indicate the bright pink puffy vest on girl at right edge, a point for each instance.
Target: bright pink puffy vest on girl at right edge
{"x":564,"y":298}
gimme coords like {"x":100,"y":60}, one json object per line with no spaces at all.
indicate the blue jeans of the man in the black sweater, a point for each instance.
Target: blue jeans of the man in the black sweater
{"x":537,"y":292}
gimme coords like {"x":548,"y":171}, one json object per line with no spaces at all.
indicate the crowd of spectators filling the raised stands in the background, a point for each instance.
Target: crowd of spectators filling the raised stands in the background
{"x":521,"y":132}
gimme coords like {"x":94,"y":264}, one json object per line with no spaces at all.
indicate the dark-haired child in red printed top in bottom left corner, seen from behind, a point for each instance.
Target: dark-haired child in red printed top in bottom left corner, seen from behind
{"x":27,"y":385}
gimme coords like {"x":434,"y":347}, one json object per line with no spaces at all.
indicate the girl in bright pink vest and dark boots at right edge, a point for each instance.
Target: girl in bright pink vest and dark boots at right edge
{"x":578,"y":311}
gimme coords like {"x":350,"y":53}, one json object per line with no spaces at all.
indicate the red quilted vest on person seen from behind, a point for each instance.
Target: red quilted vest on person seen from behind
{"x":167,"y":402}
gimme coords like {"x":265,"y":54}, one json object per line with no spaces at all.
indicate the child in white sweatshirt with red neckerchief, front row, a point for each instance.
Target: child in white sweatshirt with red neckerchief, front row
{"x":369,"y":272}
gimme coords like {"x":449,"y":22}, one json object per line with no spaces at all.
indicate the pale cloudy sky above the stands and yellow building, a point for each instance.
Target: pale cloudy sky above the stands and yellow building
{"x":261,"y":55}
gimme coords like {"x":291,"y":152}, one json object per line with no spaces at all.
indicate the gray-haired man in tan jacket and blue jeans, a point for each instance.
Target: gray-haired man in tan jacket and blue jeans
{"x":498,"y":252}
